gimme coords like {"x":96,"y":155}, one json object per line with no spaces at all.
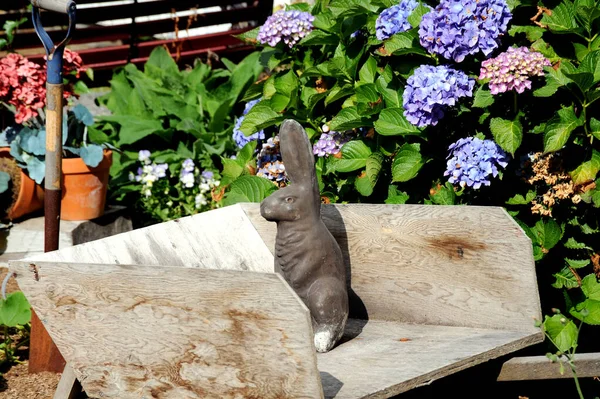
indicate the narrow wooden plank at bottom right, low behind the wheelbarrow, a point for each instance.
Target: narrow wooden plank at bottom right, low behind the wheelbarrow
{"x":542,"y":368}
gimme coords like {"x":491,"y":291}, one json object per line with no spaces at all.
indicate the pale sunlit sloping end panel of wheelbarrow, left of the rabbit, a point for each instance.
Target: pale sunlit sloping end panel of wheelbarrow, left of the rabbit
{"x":221,"y":239}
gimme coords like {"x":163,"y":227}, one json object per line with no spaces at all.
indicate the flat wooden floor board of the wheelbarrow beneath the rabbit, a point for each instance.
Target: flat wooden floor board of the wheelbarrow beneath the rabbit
{"x":382,"y":359}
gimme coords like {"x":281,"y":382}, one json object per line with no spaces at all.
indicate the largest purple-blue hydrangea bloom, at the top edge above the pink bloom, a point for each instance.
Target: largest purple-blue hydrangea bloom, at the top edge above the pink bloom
{"x":457,"y":28}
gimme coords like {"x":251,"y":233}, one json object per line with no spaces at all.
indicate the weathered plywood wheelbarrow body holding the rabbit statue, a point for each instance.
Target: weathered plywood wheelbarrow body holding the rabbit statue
{"x":192,"y":309}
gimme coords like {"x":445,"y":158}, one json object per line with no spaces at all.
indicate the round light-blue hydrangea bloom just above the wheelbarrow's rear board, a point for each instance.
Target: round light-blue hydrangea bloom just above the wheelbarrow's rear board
{"x":472,"y":161}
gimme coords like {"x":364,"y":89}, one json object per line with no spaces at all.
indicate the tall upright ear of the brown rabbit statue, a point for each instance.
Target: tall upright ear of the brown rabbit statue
{"x":297,"y":153}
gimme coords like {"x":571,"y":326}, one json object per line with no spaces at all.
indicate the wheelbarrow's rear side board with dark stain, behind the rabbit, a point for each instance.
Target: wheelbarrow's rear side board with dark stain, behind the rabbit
{"x":440,"y":265}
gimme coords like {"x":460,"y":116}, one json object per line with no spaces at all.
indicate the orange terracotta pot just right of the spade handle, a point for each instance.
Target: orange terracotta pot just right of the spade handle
{"x":84,"y":188}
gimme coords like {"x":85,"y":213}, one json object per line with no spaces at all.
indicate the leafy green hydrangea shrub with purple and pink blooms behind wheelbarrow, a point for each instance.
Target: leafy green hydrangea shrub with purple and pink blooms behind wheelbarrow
{"x":482,"y":102}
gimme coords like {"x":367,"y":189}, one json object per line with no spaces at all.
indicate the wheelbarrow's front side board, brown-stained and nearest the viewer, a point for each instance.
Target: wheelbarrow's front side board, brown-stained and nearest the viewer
{"x":172,"y":332}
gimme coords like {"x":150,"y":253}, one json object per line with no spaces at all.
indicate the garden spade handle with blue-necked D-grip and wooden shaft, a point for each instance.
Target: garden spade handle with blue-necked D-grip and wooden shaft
{"x":54,"y":115}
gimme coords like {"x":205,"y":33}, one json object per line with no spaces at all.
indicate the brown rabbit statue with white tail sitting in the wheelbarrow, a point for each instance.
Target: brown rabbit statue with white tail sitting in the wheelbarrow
{"x":306,"y":254}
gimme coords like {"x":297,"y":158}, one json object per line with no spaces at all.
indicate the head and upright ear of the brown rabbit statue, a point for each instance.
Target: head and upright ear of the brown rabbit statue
{"x":301,"y":199}
